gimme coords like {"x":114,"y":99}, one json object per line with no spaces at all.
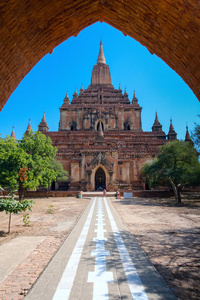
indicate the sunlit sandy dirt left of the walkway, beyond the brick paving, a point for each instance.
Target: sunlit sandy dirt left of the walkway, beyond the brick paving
{"x":49,"y":216}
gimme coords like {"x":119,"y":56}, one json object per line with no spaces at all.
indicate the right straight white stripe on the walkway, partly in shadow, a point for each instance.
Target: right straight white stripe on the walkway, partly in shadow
{"x":134,"y":282}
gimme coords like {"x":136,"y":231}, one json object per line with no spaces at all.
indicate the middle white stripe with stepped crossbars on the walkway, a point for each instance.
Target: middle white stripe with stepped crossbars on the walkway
{"x":100,"y":277}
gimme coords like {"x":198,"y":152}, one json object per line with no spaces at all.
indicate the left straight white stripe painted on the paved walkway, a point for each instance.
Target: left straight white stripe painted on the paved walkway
{"x":67,"y":279}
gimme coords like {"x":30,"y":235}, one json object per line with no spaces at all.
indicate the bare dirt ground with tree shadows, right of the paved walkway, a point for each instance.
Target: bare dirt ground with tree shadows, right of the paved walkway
{"x":170,"y":236}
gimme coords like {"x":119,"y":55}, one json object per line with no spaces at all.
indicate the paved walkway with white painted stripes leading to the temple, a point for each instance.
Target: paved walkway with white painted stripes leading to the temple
{"x":100,"y":259}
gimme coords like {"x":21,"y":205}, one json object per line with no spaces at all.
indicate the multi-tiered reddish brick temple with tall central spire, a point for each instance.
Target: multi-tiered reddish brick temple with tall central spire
{"x":100,"y":139}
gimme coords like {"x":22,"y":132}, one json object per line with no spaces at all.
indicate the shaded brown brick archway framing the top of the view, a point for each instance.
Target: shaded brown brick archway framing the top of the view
{"x":31,"y":29}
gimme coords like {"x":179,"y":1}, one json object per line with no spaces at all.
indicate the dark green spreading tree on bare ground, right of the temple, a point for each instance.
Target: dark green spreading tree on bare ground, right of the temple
{"x":176,"y":165}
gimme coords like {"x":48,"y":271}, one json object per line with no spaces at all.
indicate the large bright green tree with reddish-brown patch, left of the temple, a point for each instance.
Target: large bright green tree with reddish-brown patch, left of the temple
{"x":25,"y":163}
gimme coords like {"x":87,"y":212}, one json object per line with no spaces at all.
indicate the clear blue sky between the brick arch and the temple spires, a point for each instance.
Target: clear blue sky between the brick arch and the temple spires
{"x":158,"y":88}
